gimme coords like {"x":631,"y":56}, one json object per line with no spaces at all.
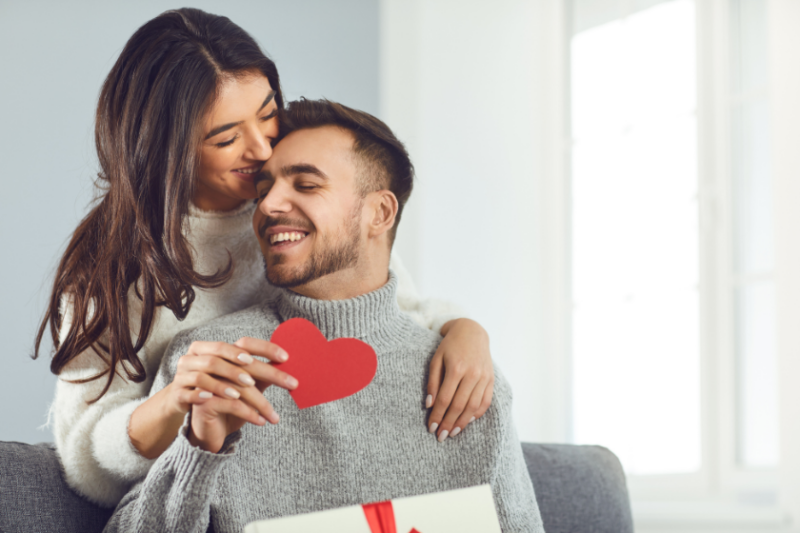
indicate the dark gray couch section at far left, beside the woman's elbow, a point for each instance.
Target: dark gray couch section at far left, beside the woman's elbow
{"x":35,"y":497}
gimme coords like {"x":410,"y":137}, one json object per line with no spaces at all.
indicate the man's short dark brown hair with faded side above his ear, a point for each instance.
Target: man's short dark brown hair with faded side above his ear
{"x":382,"y":161}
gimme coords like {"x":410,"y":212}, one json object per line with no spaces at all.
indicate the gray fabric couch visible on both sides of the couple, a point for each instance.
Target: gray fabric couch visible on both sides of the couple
{"x":580,"y":489}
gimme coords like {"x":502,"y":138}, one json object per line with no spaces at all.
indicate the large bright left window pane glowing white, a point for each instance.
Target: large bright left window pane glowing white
{"x":636,"y":345}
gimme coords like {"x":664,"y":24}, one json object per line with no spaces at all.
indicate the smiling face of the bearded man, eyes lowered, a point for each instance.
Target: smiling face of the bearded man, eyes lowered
{"x":309,"y":216}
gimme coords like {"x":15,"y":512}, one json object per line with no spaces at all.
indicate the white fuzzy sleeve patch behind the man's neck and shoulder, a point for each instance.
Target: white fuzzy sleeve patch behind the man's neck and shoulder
{"x":429,"y":313}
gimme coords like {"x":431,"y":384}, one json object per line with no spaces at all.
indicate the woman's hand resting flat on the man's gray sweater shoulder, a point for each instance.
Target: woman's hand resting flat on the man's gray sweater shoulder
{"x":461,"y":379}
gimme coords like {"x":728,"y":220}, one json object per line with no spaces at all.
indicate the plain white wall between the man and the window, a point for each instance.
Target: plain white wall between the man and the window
{"x":463,"y":83}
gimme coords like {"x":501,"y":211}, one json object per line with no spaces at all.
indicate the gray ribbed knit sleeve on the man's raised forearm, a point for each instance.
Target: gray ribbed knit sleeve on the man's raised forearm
{"x":177,"y":493}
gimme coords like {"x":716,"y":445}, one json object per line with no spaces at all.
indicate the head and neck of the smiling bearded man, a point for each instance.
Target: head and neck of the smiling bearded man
{"x":328,"y":206}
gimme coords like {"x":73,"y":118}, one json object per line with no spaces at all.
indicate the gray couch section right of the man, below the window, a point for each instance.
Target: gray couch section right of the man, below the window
{"x":580,"y":489}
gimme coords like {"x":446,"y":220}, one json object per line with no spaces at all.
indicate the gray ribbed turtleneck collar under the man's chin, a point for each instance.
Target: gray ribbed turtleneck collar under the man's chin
{"x":374,"y":313}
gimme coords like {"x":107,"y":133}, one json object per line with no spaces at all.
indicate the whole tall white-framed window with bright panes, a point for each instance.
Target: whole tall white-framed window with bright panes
{"x":673,"y":323}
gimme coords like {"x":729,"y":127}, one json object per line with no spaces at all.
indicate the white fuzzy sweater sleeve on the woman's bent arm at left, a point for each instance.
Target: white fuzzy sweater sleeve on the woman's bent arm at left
{"x":91,"y":437}
